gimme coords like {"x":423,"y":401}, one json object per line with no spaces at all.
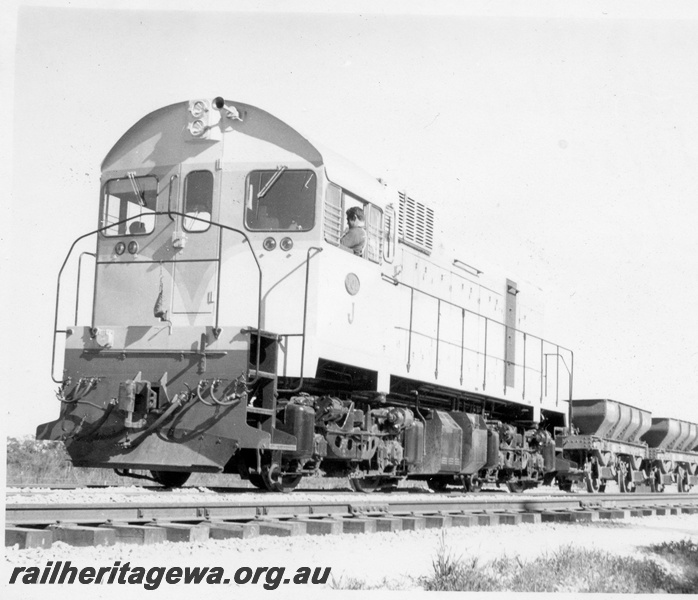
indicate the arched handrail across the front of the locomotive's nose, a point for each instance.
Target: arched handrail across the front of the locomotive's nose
{"x":218,"y":279}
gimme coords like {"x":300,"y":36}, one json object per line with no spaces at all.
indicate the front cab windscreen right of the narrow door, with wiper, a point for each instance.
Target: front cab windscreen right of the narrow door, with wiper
{"x":280,"y":199}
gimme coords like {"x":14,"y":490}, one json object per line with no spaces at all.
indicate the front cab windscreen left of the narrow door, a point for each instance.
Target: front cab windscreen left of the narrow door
{"x":129,"y":205}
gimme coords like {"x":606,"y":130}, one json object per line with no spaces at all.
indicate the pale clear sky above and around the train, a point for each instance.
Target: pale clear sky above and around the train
{"x":556,"y":141}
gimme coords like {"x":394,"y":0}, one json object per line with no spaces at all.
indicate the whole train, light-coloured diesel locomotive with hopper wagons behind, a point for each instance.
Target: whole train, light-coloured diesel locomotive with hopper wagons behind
{"x":233,"y":330}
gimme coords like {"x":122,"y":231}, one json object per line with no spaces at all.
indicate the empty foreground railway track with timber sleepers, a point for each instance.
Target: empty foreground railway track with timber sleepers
{"x":39,"y":524}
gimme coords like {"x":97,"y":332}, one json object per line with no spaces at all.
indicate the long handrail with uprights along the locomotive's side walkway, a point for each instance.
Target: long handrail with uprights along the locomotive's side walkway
{"x":487,"y":320}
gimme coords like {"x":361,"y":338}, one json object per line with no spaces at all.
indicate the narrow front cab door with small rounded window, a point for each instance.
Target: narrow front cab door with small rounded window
{"x":195,"y":242}
